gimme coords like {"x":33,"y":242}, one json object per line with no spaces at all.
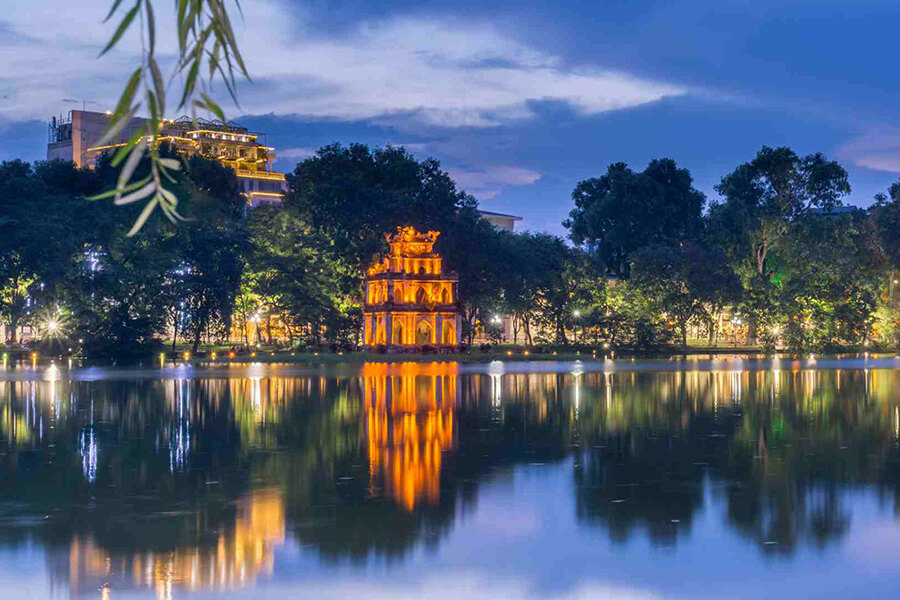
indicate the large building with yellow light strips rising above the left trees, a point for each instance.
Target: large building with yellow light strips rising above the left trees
{"x":76,"y":138}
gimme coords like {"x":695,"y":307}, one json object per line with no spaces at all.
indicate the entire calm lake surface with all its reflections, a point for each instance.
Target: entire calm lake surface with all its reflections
{"x":687,"y":479}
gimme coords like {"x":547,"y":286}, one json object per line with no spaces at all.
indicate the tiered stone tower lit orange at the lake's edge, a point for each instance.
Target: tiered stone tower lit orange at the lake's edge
{"x":409,"y":300}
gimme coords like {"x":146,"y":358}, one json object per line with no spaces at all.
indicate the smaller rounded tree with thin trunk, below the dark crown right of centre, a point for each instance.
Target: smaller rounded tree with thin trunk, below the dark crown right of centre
{"x":682,"y":281}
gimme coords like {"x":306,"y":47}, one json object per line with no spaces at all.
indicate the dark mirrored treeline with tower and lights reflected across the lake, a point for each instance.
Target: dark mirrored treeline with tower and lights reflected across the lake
{"x":198,"y":483}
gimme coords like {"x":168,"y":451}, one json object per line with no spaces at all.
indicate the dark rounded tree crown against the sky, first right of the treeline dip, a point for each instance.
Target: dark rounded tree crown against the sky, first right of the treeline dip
{"x":623,"y":211}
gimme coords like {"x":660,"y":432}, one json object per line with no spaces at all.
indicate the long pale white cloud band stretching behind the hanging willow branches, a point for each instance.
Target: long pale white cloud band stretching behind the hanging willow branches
{"x":439,"y":71}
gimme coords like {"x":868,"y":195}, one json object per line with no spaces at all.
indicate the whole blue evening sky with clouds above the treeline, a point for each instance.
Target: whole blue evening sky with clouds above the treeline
{"x":518,"y":100}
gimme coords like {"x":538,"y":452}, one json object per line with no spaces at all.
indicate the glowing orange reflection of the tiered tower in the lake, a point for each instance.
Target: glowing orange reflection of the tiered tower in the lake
{"x":410,"y":422}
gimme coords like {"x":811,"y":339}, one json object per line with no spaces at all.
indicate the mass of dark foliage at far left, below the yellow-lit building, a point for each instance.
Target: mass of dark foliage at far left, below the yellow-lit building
{"x":68,"y":252}
